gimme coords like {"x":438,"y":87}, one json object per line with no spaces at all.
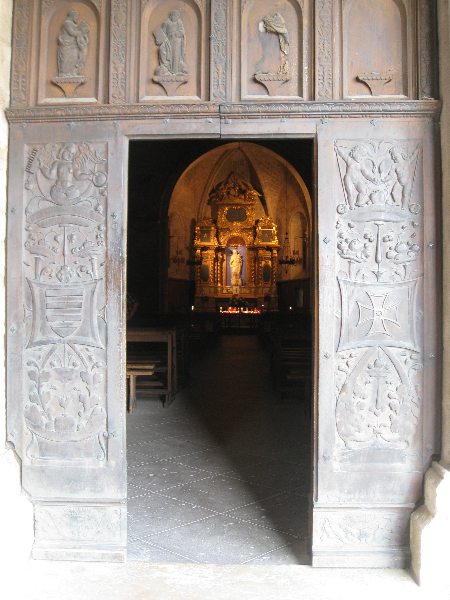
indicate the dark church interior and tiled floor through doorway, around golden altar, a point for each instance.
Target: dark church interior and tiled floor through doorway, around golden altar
{"x":269,"y":507}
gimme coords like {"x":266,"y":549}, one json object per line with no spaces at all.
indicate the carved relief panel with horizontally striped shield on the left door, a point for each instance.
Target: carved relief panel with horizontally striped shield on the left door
{"x":65,"y":257}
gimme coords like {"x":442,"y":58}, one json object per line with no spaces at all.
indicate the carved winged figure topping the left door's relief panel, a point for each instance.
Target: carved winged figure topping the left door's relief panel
{"x":67,"y":167}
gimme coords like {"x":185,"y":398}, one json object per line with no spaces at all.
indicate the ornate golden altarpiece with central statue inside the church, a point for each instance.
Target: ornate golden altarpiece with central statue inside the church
{"x":235,"y":255}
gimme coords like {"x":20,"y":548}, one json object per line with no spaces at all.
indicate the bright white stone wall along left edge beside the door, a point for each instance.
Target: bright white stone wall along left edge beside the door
{"x":16,"y":514}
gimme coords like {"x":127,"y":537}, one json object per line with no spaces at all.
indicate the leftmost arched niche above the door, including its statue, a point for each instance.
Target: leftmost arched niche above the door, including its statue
{"x":71,"y":43}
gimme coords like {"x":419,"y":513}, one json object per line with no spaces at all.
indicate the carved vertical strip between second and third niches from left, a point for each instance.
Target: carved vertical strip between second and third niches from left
{"x":218,"y":49}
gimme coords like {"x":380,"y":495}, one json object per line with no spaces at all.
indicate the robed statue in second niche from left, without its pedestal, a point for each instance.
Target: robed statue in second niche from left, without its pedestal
{"x":171,"y":41}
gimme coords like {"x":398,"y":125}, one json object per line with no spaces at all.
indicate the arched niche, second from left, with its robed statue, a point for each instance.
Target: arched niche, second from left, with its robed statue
{"x":172,"y":52}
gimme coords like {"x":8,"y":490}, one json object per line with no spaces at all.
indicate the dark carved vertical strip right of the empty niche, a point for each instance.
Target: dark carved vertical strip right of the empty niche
{"x":427,"y":49}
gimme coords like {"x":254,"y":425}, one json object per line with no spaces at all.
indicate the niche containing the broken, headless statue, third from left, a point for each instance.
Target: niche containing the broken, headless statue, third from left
{"x":274,"y":49}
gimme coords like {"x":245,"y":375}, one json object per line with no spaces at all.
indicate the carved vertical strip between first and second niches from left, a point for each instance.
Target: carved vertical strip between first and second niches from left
{"x":119,"y":10}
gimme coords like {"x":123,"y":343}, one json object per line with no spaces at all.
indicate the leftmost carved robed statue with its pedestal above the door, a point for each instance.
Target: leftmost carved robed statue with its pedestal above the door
{"x":73,"y":41}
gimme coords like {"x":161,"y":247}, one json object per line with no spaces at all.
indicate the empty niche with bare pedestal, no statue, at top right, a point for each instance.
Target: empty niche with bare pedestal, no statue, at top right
{"x":376,"y":48}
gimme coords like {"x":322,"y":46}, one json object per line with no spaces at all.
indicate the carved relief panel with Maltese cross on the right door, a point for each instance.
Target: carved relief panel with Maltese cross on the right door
{"x":379,"y":246}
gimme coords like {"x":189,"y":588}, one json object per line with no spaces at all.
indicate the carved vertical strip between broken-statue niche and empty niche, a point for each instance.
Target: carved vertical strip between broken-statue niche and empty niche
{"x":324,"y":49}
